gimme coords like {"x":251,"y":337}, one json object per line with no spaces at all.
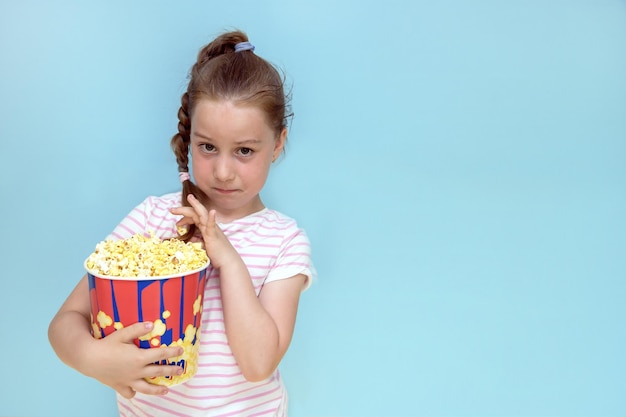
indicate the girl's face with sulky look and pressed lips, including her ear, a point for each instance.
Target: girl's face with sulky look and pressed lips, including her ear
{"x":232,"y":149}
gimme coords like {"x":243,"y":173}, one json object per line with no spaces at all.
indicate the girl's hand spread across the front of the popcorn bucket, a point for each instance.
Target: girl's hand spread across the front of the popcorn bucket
{"x":117,"y":362}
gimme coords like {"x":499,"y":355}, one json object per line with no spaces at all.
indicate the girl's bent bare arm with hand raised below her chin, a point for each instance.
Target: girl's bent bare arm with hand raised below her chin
{"x":259,"y":329}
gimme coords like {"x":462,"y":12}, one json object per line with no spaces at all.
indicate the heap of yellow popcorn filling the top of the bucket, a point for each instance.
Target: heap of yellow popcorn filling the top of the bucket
{"x":146,"y":256}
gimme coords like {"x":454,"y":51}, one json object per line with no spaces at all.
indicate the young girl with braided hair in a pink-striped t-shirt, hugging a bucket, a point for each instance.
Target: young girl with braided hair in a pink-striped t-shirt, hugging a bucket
{"x":232,"y":122}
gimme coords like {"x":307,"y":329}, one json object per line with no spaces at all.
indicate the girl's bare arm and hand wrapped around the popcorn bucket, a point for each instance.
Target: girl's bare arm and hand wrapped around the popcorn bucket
{"x":114,"y":360}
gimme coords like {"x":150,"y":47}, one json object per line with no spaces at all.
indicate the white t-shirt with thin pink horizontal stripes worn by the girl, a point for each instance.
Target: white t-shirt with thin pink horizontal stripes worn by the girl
{"x":273,"y":248}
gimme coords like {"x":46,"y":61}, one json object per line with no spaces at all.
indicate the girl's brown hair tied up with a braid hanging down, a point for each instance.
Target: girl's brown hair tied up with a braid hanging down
{"x":242,"y":77}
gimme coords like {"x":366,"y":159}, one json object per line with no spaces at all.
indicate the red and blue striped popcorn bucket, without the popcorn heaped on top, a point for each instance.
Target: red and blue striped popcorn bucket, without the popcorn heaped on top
{"x":172,"y":302}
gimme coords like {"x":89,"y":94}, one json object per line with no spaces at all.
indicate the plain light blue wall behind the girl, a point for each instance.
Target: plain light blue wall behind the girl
{"x":460,"y":167}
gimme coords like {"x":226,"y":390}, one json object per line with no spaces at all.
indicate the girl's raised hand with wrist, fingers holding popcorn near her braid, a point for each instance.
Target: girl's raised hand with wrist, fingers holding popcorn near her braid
{"x":218,"y":248}
